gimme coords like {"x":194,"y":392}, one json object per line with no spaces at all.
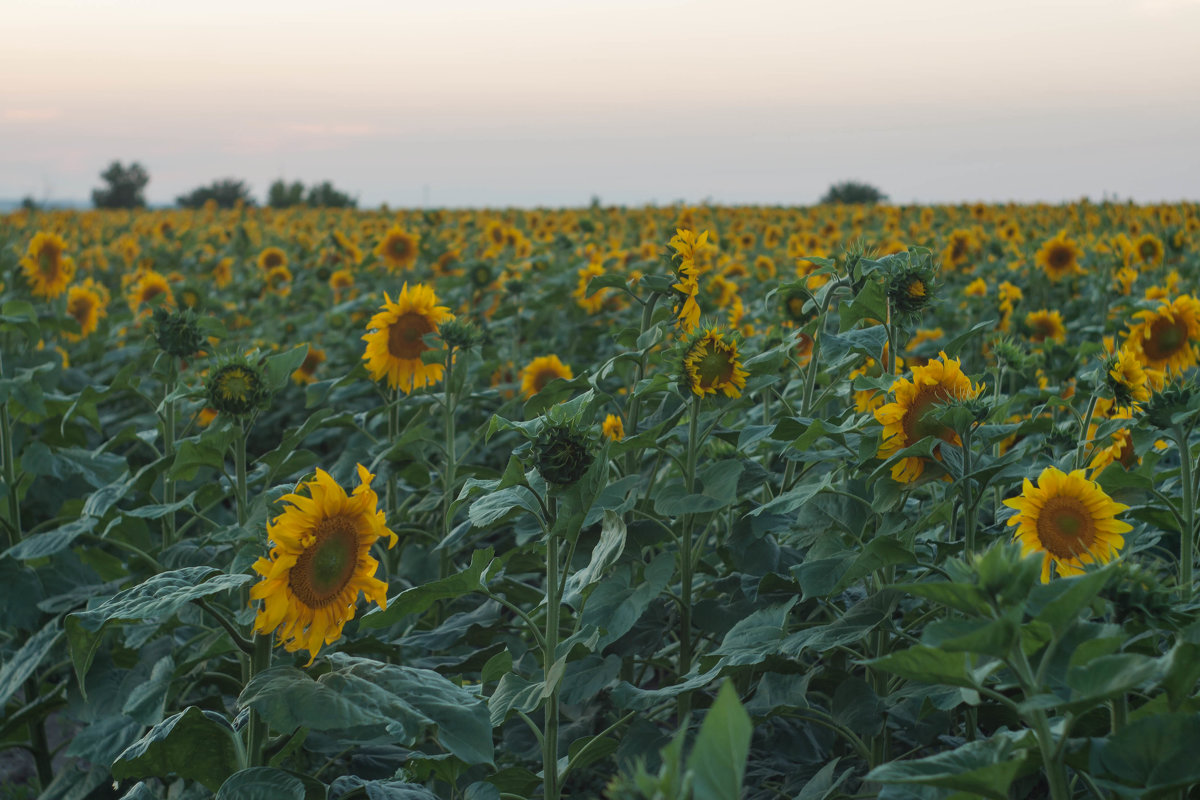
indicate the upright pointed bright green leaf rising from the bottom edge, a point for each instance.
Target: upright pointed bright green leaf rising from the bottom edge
{"x":718,"y":761}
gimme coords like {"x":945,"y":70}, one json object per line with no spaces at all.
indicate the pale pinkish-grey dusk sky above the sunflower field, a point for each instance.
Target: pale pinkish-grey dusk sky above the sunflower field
{"x":532,"y":103}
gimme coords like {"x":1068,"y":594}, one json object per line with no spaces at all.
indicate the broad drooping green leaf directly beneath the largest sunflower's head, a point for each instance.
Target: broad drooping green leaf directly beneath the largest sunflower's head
{"x":363,"y":700}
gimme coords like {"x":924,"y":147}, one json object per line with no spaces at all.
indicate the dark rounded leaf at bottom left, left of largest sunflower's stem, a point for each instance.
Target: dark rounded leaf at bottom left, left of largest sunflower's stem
{"x":194,"y":744}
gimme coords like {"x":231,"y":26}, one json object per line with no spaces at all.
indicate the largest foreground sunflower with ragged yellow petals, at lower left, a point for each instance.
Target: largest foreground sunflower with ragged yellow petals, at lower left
{"x":320,"y":562}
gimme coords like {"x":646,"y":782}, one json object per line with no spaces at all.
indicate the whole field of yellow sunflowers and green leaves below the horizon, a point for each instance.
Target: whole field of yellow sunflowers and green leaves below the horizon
{"x":639,"y":504}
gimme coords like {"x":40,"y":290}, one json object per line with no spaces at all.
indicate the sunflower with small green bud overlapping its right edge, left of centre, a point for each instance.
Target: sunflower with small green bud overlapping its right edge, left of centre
{"x":397,"y":339}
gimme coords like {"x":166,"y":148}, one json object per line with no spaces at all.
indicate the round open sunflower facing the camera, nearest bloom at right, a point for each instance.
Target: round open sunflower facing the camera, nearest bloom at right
{"x":1070,"y":520}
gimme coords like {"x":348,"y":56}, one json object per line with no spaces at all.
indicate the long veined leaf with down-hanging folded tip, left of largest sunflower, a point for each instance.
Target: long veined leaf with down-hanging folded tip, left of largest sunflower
{"x":160,"y":597}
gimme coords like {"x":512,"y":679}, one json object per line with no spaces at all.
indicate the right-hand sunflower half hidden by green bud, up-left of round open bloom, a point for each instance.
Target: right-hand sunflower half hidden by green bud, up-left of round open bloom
{"x":904,"y":420}
